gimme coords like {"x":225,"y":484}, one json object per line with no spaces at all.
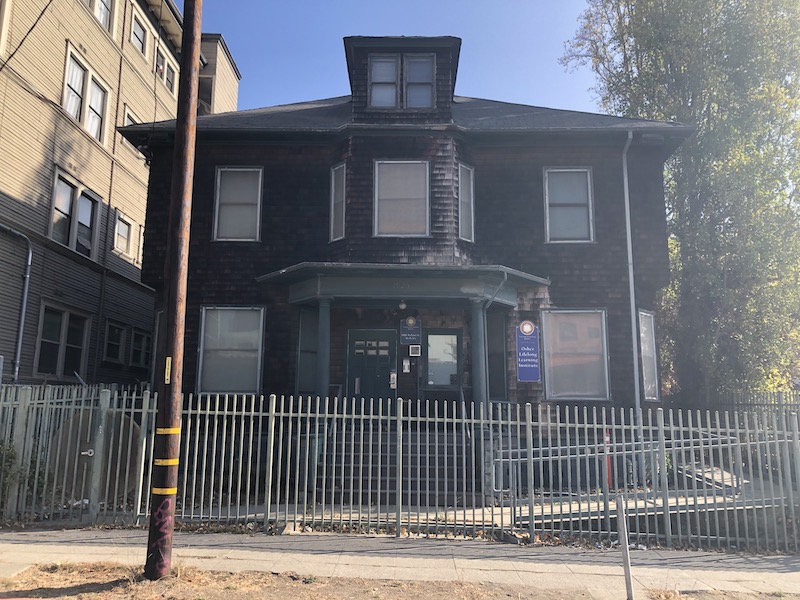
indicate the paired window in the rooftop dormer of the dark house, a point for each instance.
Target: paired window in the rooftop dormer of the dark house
{"x":401,"y":81}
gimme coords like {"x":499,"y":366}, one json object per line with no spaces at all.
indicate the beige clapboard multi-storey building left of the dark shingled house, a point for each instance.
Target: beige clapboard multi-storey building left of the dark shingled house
{"x":71,"y":72}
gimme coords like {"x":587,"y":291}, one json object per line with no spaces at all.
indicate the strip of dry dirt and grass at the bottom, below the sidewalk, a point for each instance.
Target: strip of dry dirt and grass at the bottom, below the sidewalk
{"x":110,"y":581}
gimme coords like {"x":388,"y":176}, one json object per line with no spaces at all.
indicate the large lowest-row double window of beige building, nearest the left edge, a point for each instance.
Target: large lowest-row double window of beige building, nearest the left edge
{"x":61,"y":348}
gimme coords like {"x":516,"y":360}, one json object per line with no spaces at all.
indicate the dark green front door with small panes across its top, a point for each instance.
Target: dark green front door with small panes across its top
{"x":372,"y":363}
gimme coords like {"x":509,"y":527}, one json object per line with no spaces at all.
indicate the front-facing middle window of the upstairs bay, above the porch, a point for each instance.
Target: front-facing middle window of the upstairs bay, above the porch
{"x":401,"y":198}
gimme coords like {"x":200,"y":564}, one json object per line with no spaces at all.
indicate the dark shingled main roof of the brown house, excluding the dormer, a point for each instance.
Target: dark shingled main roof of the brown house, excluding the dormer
{"x":470,"y":115}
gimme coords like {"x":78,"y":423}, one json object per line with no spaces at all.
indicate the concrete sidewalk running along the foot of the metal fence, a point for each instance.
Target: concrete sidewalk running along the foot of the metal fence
{"x":597,"y":572}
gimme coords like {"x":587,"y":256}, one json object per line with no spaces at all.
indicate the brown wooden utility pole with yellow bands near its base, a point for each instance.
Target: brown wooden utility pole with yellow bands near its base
{"x":170,"y":374}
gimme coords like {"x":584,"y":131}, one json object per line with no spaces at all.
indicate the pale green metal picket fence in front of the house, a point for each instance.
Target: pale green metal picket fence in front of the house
{"x":536,"y":474}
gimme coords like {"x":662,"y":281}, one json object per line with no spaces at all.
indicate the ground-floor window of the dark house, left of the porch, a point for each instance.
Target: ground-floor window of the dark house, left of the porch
{"x":230,"y":355}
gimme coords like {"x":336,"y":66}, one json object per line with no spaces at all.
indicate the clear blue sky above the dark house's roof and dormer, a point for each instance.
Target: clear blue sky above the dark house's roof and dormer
{"x":291,"y":51}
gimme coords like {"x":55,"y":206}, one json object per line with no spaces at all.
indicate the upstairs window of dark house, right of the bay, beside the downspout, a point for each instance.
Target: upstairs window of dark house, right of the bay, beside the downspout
{"x":568,"y":205}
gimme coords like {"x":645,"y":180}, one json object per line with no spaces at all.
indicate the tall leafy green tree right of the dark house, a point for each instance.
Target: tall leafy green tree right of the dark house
{"x":731,"y":69}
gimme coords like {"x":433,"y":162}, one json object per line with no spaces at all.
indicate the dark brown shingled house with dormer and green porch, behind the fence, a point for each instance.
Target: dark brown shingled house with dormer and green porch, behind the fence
{"x":404,"y":241}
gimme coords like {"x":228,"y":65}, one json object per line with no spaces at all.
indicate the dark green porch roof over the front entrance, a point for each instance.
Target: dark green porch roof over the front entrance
{"x":391,"y":282}
